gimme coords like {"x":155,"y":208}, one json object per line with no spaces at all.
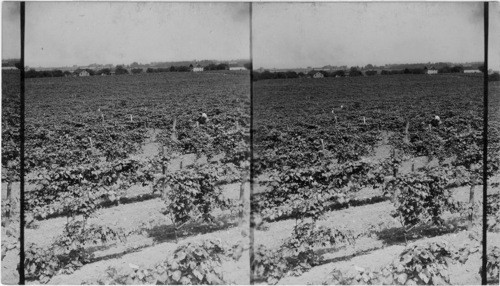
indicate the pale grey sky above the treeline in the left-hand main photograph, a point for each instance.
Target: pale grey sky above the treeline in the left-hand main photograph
{"x":82,"y":33}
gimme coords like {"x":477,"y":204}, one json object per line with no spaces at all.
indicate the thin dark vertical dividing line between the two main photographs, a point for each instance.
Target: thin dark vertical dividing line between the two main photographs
{"x":251,"y":145}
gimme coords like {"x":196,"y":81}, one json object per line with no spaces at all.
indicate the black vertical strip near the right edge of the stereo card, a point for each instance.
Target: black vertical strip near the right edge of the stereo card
{"x":485,"y":146}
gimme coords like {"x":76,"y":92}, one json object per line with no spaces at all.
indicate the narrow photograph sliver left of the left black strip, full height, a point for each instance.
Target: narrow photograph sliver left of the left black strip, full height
{"x":11,"y":115}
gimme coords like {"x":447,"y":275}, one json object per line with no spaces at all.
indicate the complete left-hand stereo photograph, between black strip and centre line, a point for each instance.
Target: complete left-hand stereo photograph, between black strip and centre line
{"x":137,"y":143}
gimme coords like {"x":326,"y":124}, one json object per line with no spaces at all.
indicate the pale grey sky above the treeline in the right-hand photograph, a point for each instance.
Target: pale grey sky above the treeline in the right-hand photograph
{"x":289,"y":35}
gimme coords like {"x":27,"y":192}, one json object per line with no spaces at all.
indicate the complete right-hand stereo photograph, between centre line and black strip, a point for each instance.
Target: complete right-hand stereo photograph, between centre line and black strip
{"x":367,"y":143}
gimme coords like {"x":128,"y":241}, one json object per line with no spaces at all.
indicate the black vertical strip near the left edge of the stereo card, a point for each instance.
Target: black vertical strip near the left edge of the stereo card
{"x":21,"y":173}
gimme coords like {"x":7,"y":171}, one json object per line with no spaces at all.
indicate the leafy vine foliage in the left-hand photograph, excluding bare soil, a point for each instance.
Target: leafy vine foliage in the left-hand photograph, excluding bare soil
{"x":82,"y":155}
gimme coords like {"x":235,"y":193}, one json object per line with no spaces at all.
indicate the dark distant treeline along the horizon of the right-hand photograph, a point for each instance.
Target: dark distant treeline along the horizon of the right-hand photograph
{"x":353,"y":72}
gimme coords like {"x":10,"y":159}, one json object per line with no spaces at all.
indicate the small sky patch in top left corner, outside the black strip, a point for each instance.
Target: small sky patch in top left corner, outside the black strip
{"x":11,"y":30}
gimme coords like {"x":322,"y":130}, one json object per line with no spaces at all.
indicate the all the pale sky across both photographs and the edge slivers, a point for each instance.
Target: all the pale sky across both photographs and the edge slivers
{"x":285,"y":35}
